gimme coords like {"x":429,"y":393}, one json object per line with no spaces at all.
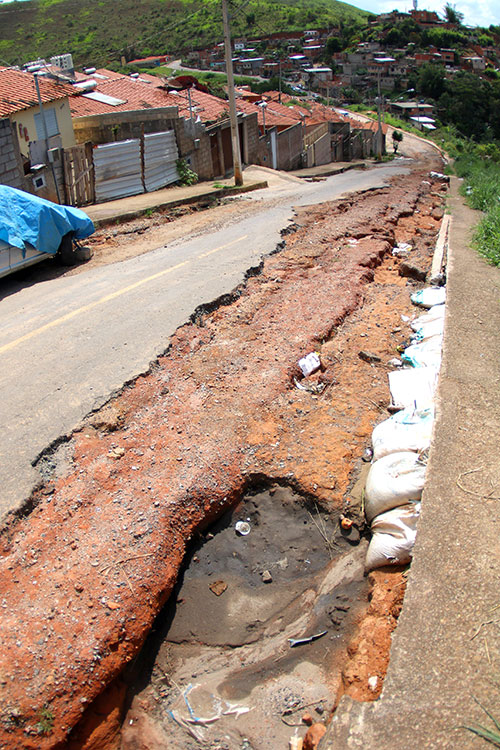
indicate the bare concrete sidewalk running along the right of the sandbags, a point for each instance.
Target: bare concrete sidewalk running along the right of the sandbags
{"x":446,"y":648}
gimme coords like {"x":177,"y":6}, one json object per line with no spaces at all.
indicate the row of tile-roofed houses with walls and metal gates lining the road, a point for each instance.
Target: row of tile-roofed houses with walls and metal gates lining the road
{"x":118,"y":126}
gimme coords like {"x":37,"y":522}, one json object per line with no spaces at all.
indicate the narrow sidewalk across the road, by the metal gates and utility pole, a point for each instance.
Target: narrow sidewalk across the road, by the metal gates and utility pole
{"x":137,"y":205}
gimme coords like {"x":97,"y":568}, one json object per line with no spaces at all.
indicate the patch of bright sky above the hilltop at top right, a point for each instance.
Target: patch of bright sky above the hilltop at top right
{"x":476,"y":12}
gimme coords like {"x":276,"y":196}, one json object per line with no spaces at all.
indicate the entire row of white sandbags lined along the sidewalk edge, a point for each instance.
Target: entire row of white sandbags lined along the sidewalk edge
{"x":396,"y":478}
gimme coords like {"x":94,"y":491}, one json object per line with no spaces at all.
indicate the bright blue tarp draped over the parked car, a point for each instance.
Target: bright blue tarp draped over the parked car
{"x":25,"y":218}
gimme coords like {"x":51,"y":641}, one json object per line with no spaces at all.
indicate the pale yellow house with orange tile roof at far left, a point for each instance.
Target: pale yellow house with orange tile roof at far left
{"x":19,"y":103}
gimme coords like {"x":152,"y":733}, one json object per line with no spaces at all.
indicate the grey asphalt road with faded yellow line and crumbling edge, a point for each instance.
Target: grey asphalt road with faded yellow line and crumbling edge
{"x":67,"y":344}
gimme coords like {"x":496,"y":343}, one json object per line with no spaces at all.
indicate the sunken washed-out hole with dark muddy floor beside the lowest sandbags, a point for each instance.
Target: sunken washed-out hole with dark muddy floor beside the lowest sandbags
{"x":225,"y":630}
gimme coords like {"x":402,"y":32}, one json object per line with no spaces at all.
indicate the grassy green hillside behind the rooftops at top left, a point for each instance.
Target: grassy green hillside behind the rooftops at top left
{"x":97,"y":31}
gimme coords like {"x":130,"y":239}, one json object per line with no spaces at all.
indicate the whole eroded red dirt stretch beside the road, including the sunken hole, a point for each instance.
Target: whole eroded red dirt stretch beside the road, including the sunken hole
{"x":218,"y":425}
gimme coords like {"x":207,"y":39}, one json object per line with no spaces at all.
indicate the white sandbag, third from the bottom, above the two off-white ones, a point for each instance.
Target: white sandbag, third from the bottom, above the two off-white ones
{"x":407,"y":430}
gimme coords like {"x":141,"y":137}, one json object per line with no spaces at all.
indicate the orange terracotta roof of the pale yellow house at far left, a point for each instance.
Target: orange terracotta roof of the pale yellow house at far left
{"x":18,"y":92}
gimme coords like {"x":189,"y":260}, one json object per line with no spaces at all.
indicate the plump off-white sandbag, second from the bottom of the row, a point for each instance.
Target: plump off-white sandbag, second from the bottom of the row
{"x":393,"y":480}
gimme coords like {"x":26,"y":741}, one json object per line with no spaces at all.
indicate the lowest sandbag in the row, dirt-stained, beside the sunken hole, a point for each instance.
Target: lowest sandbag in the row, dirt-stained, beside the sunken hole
{"x":393,"y":537}
